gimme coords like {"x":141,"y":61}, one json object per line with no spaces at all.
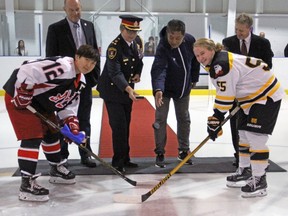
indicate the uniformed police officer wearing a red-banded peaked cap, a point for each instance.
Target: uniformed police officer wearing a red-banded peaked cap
{"x":122,"y":70}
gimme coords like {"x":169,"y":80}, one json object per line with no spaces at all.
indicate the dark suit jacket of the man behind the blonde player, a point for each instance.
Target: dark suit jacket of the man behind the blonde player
{"x":259,"y":47}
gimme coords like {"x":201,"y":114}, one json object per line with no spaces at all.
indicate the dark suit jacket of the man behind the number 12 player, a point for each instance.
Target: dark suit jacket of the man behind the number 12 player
{"x":60,"y":42}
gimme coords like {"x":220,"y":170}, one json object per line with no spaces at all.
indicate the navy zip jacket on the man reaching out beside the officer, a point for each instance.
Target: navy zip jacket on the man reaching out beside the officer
{"x":174,"y":70}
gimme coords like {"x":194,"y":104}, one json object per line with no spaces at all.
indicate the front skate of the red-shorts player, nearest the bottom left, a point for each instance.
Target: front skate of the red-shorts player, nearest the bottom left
{"x":31,"y":191}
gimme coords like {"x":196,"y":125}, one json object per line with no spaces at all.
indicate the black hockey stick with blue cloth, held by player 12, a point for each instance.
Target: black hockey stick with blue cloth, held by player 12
{"x":78,"y":139}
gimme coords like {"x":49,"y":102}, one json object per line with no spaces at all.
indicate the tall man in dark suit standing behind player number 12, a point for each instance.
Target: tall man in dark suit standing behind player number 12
{"x":63,"y":39}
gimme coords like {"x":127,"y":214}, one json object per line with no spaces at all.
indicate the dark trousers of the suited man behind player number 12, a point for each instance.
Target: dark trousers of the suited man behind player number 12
{"x":84,"y":114}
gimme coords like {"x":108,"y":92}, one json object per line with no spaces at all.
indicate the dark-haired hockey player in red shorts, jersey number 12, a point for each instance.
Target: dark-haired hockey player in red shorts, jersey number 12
{"x":52,"y":86}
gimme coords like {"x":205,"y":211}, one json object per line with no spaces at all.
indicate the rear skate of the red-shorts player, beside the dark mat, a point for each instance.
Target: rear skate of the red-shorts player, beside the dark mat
{"x":59,"y":174}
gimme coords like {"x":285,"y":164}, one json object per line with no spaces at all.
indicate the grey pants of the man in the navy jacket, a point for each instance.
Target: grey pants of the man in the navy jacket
{"x":183,"y":124}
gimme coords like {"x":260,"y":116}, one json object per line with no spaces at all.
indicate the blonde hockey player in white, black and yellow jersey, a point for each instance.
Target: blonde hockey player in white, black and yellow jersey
{"x":259,"y":93}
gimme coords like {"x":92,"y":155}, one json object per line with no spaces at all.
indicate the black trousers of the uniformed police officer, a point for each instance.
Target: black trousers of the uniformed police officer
{"x":119,"y":120}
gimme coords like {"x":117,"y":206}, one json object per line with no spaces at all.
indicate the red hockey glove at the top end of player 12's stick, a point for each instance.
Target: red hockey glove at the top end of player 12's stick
{"x":23,"y":98}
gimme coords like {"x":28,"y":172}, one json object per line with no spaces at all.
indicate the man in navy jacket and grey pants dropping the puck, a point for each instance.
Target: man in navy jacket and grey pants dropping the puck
{"x":175,"y":71}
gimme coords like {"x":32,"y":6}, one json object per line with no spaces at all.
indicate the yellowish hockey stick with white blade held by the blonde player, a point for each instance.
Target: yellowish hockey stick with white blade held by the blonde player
{"x":129,"y":199}
